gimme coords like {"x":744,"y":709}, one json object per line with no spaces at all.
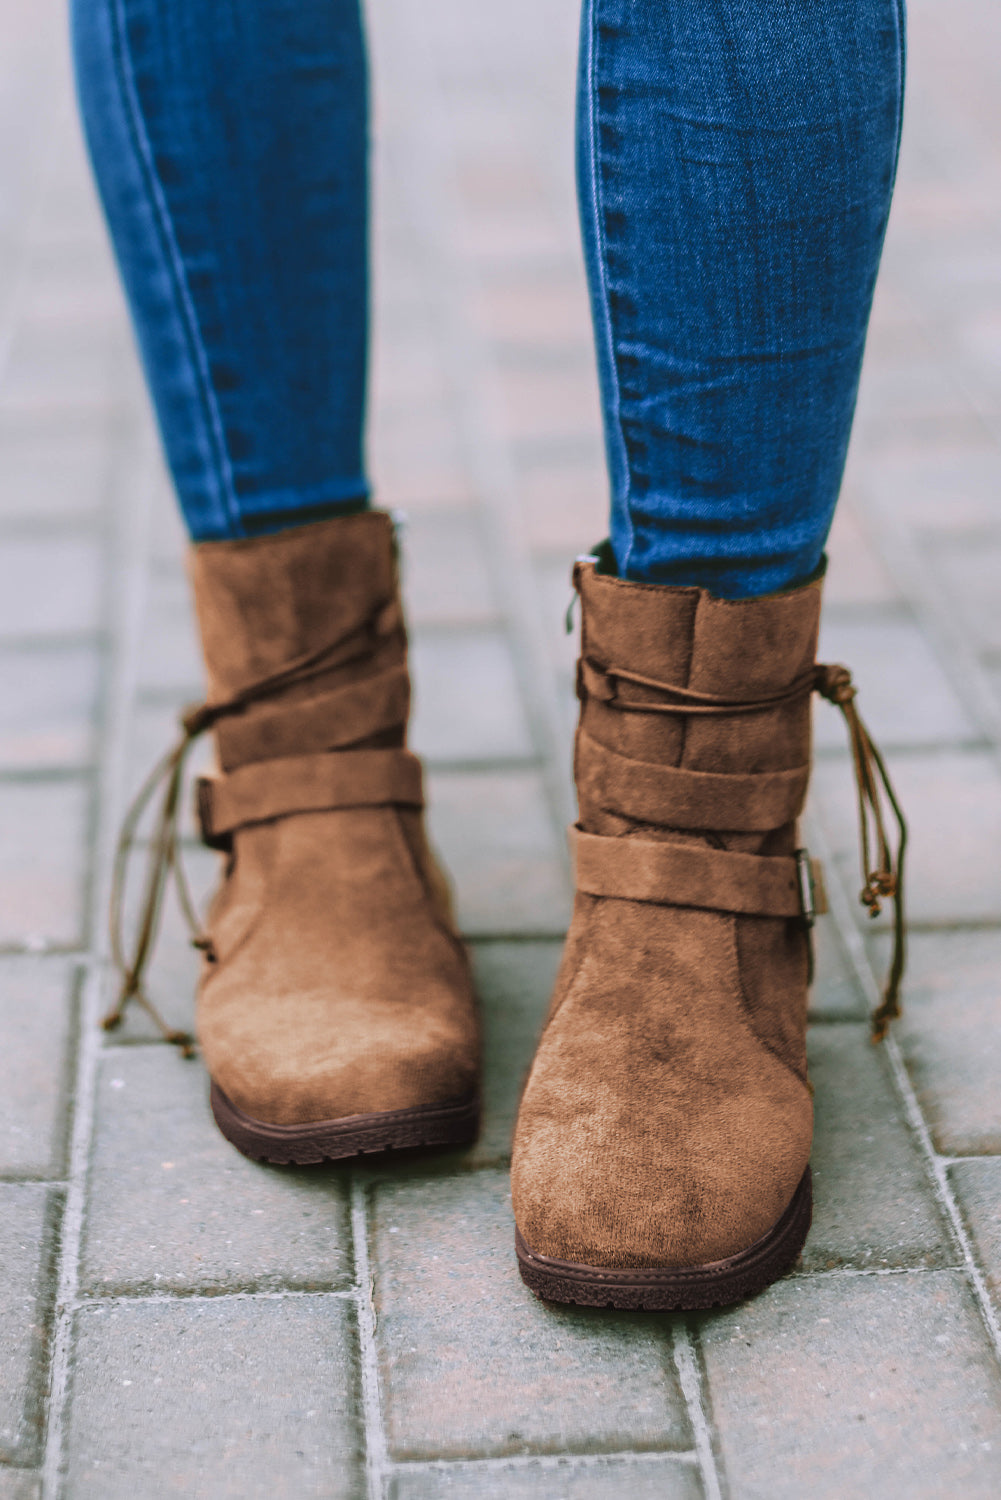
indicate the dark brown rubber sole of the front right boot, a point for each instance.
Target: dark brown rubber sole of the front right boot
{"x":676,"y":1288}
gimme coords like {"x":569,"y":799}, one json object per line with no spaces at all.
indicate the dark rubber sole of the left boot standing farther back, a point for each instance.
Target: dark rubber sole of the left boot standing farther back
{"x":455,"y":1123}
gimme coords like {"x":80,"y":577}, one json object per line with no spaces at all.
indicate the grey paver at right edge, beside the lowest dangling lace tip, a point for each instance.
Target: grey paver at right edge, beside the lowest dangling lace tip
{"x":951,"y":1036}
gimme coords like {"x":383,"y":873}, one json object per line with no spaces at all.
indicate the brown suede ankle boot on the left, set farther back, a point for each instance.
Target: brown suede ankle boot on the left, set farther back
{"x":335,"y":1009}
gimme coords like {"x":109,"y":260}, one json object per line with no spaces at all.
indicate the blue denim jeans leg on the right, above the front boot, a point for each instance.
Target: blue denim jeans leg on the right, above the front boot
{"x":736,"y":164}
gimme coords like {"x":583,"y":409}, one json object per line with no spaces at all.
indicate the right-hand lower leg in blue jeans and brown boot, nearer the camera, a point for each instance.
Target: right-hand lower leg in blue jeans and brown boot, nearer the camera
{"x":736,"y":175}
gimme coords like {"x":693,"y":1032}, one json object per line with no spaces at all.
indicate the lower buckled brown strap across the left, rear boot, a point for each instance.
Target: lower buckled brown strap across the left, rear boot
{"x":307,"y":784}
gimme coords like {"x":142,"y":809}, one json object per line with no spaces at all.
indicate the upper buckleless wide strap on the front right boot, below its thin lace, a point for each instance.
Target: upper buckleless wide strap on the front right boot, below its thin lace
{"x":675,"y":797}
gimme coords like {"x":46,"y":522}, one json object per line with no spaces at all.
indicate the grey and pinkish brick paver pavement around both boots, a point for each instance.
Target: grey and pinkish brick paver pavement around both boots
{"x":178,"y":1321}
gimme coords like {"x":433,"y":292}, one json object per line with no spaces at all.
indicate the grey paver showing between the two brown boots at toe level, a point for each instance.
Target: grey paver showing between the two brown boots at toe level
{"x":514,"y":982}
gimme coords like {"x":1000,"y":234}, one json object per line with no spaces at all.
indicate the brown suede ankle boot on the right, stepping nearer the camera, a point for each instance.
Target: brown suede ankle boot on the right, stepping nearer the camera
{"x":664,"y":1139}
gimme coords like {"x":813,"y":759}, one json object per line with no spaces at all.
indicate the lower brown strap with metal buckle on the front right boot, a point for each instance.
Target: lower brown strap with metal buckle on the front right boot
{"x":693,"y":875}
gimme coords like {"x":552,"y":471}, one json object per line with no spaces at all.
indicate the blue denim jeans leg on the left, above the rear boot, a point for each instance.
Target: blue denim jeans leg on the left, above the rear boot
{"x":230,"y":149}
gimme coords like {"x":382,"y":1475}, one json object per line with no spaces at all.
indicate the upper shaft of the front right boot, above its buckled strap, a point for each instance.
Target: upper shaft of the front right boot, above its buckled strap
{"x":676,"y":679}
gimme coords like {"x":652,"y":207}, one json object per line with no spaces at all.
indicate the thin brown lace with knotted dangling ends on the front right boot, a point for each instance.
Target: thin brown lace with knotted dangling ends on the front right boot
{"x":882,"y":868}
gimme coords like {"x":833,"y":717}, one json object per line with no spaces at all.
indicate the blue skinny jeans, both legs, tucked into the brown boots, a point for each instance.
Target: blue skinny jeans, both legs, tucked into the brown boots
{"x":736,"y":166}
